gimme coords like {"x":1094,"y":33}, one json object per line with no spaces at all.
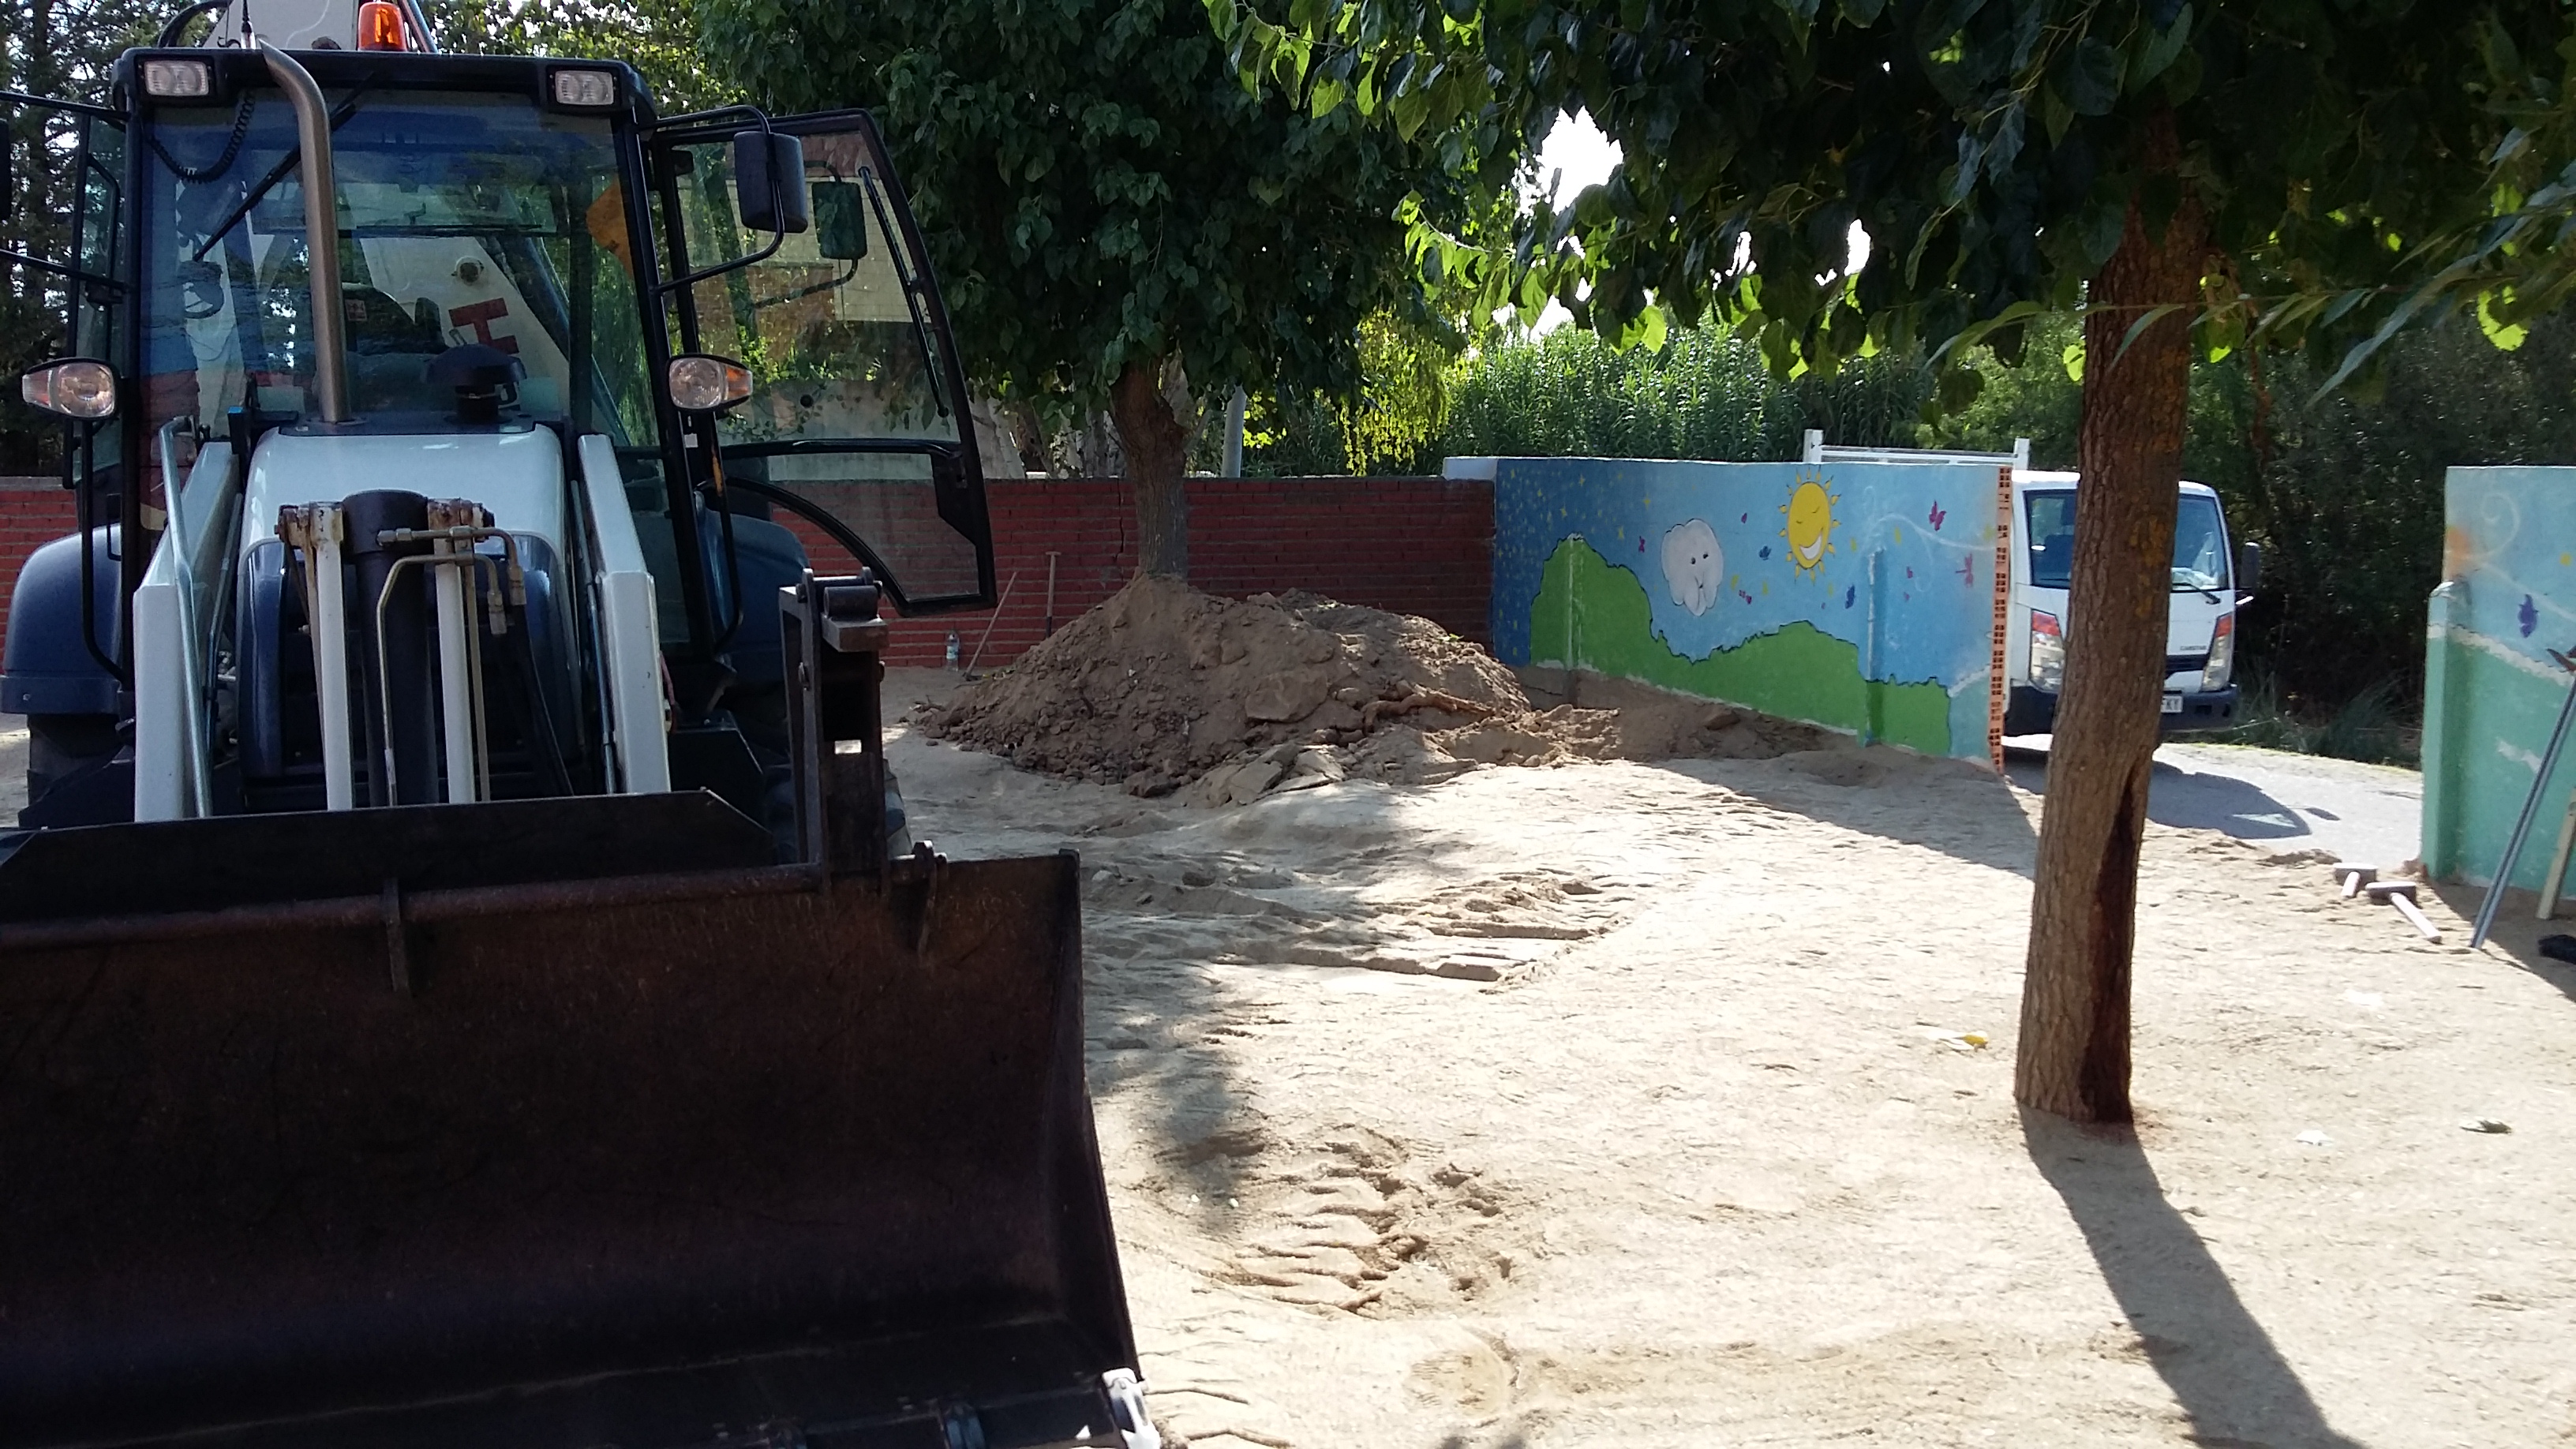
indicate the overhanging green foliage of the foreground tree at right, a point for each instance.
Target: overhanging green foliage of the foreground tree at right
{"x":2356,"y":164}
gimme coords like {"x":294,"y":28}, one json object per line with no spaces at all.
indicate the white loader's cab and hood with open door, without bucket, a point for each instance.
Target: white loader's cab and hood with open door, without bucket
{"x":710,"y":342}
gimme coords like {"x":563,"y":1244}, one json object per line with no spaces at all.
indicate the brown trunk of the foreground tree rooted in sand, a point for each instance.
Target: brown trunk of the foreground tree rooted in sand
{"x":2129,"y":447}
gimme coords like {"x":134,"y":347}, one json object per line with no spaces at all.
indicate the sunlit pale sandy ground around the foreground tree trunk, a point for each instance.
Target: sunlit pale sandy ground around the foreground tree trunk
{"x":1647,"y":1105}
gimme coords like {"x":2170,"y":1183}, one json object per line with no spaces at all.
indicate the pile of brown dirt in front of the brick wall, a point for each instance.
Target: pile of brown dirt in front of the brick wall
{"x":1168,"y":690}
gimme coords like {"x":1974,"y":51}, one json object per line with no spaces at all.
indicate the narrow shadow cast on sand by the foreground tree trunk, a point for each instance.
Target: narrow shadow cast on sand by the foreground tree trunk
{"x":2224,"y":1370}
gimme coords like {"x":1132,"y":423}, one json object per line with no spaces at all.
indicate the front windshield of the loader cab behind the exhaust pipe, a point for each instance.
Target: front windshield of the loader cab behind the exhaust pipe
{"x":465,"y":218}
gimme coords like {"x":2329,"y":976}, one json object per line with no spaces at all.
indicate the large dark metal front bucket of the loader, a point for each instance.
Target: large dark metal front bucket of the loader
{"x":648,"y":1151}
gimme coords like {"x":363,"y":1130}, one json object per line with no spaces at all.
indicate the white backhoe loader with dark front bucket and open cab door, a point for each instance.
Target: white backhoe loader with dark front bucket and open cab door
{"x":465,"y":973}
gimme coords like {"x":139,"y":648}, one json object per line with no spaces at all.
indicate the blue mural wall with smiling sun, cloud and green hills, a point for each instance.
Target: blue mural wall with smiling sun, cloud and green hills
{"x":1856,"y":597}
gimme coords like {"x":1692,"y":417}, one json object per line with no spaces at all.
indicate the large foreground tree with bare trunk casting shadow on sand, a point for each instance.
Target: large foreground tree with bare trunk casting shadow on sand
{"x":2181,"y":174}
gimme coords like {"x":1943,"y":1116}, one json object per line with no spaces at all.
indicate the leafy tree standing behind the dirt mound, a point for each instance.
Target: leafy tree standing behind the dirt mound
{"x":1117,"y":223}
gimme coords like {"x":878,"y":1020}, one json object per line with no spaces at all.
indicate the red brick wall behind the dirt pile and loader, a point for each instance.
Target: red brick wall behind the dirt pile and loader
{"x":1416,"y":545}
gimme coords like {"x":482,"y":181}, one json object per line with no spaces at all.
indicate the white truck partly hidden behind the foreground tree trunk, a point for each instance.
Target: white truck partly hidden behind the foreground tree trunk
{"x":2201,"y":625}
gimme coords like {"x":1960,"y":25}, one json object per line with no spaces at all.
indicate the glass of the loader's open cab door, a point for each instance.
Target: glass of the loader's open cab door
{"x":851,"y":404}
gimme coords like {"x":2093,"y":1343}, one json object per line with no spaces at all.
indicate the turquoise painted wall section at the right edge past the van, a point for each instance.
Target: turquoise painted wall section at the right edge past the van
{"x":2492,"y":692}
